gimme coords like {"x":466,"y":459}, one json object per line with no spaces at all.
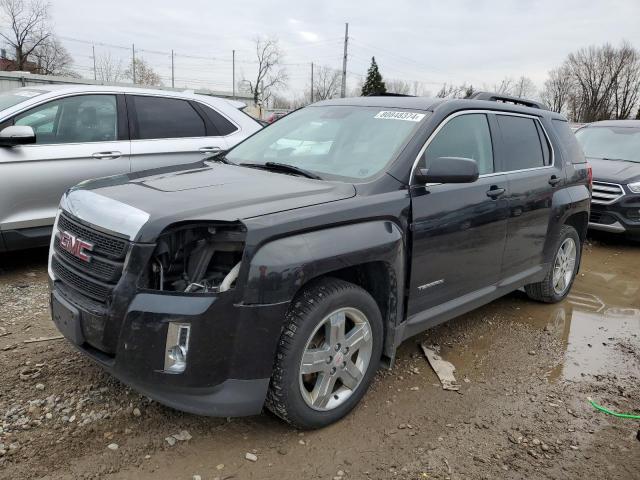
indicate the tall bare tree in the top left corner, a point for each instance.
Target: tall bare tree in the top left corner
{"x":28,"y":27}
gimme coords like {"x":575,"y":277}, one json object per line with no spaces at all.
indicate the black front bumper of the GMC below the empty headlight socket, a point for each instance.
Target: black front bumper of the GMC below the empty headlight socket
{"x":230,"y":352}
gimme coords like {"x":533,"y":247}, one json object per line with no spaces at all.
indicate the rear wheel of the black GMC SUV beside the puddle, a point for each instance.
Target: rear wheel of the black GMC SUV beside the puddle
{"x":562,"y":272}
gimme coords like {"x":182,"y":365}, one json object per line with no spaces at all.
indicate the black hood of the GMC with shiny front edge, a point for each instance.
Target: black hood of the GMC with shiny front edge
{"x":141,"y":205}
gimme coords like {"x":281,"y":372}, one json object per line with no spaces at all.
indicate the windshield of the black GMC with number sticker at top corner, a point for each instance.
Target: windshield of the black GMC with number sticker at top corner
{"x":334,"y":142}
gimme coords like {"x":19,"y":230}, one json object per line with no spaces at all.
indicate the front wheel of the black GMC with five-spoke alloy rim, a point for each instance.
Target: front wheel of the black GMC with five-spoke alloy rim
{"x":329,"y":351}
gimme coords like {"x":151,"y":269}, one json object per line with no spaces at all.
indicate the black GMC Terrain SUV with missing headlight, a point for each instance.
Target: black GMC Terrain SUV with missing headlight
{"x":283,"y":272}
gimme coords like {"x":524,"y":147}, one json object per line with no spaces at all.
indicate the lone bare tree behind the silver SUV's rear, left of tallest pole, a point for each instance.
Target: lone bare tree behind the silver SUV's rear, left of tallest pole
{"x":270,"y":75}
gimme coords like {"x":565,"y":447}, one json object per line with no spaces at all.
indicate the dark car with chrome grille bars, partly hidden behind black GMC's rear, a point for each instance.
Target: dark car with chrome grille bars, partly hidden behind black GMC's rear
{"x":613,"y":149}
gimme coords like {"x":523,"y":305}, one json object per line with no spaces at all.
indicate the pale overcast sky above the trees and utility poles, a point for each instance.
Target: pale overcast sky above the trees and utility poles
{"x":432,"y":42}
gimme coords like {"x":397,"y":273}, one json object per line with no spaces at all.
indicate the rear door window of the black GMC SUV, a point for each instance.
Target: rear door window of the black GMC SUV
{"x":522,"y":143}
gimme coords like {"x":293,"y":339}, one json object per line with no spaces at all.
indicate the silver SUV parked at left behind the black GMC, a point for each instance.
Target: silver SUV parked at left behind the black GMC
{"x":54,"y":136}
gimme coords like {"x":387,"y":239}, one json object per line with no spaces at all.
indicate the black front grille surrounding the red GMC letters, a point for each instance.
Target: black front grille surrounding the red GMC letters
{"x":94,"y":279}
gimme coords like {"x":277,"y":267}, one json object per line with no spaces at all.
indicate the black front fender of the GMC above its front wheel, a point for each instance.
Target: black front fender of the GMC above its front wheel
{"x":368,"y":254}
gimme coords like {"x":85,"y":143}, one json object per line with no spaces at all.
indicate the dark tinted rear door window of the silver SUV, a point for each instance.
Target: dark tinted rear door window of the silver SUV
{"x":158,"y":117}
